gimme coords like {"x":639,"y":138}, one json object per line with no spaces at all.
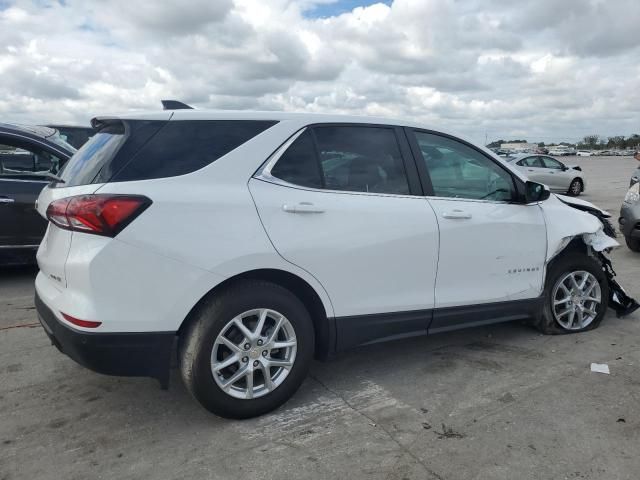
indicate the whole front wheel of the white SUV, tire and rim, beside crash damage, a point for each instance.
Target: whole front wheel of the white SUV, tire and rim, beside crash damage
{"x":576,"y":295}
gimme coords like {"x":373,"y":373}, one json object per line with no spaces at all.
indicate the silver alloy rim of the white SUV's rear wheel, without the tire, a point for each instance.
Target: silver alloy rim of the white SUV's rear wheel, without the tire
{"x":253,"y":353}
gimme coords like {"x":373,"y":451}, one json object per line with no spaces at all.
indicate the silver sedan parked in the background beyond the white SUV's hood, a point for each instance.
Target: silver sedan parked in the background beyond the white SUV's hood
{"x":556,"y":175}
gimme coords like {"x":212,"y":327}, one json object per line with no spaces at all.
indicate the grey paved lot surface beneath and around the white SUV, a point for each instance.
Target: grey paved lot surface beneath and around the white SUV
{"x":499,"y":402}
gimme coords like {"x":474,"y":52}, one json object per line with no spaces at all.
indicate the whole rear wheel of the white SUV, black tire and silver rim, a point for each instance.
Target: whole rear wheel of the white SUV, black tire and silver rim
{"x":246,"y":349}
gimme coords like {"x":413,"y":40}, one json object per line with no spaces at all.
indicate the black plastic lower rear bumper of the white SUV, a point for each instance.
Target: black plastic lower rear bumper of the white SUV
{"x":123,"y":354}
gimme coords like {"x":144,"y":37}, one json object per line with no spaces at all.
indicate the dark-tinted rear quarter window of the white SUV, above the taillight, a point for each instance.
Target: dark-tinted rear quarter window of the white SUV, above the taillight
{"x":185,"y":146}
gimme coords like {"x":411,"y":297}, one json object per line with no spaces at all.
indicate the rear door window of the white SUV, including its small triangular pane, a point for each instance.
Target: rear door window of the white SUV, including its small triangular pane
{"x":346,"y":158}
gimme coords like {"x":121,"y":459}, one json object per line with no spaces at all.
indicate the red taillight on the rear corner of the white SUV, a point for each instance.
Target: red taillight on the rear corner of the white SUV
{"x":100,"y":214}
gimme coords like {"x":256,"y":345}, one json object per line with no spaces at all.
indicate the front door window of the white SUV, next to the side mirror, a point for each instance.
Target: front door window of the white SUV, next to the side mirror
{"x":459,"y":171}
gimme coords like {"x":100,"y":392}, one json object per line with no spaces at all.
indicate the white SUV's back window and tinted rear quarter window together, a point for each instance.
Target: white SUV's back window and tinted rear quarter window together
{"x":142,"y":150}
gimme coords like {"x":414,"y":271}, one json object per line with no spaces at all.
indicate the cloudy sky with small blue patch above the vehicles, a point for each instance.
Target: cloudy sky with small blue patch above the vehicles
{"x":543,"y":70}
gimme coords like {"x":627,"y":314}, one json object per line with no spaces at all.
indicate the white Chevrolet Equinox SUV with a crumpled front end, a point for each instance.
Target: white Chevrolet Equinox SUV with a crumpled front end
{"x":256,"y":241}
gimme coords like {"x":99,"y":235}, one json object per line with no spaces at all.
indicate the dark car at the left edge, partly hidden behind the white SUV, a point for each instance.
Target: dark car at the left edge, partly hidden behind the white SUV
{"x":30,"y":158}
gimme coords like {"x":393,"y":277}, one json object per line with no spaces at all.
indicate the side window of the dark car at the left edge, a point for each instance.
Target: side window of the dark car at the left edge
{"x":27,"y":163}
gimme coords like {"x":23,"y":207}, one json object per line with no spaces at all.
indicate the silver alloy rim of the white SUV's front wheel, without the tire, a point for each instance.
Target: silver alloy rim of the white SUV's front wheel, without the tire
{"x":576,"y":299}
